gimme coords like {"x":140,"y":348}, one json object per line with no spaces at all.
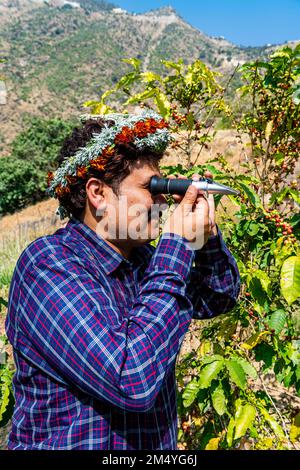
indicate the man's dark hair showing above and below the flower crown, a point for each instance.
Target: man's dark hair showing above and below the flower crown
{"x":117,"y":168}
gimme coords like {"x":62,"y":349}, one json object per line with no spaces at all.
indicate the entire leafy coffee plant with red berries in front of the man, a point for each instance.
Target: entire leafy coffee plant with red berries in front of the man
{"x":224,"y":398}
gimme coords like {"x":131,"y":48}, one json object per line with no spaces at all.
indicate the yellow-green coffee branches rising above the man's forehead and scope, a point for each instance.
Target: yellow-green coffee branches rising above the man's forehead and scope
{"x":189,"y":97}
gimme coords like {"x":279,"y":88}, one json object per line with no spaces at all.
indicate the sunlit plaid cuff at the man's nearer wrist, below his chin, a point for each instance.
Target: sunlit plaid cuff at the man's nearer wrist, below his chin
{"x":173,"y":253}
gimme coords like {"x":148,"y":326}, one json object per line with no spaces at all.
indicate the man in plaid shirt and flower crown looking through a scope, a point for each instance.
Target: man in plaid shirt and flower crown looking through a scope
{"x":96,"y":315}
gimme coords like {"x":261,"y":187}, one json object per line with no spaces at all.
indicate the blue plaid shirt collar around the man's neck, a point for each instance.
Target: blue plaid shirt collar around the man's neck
{"x":108,"y":258}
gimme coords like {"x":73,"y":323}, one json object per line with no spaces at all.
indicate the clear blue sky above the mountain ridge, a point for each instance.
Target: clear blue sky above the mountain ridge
{"x":245,"y":22}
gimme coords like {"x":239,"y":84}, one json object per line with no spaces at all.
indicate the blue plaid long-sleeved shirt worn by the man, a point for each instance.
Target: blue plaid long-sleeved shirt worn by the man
{"x":95,"y":336}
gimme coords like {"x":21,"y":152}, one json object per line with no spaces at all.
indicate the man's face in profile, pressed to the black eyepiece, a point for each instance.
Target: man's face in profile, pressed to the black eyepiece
{"x":132,"y":217}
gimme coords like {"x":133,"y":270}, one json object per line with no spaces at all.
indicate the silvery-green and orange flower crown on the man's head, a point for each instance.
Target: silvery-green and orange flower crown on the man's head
{"x":145,"y":131}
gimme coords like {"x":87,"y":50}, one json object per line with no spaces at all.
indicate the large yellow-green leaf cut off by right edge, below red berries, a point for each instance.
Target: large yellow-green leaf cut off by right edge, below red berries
{"x":290,"y":279}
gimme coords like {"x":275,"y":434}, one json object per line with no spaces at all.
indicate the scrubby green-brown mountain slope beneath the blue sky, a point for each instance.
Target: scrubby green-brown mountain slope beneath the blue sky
{"x":59,"y":53}
